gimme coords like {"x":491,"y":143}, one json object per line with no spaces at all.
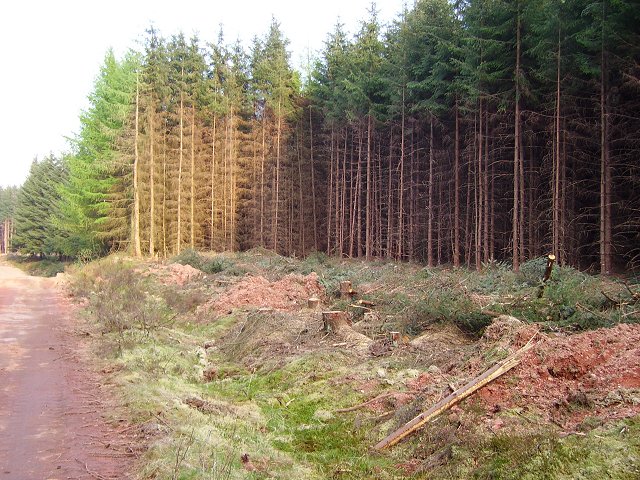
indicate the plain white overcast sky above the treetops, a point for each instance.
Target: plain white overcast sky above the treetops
{"x":51,"y":52}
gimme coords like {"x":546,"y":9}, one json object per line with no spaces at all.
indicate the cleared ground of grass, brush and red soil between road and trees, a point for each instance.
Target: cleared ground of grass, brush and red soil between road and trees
{"x":227,"y":374}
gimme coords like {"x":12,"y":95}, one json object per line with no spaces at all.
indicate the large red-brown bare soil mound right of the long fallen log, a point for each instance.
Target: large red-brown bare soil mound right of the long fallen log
{"x":567,"y":378}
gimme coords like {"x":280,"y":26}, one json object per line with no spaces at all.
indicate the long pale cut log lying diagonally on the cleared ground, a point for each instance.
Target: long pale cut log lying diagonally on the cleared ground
{"x":456,"y":397}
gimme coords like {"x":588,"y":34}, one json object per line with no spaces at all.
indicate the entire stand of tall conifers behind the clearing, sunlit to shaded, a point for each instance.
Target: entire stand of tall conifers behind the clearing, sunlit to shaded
{"x":465,"y":132}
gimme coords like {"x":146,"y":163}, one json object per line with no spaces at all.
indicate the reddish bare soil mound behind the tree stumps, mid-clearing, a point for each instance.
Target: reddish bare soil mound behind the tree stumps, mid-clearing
{"x":289,"y":293}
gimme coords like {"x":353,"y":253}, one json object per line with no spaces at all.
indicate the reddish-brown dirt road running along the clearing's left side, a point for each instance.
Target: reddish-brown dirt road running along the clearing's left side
{"x":51,"y":407}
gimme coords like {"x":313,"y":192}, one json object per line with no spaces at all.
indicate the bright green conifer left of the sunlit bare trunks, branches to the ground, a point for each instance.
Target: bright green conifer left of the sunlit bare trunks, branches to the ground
{"x":92,"y":215}
